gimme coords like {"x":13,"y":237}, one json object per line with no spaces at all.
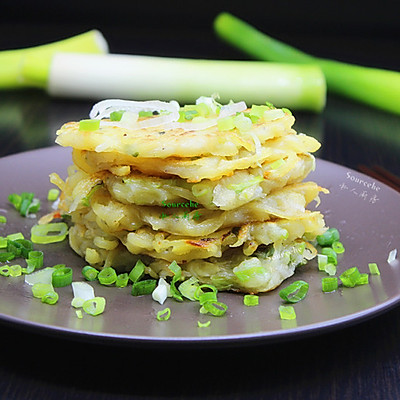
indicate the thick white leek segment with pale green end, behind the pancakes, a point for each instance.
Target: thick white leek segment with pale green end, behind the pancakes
{"x":143,"y":77}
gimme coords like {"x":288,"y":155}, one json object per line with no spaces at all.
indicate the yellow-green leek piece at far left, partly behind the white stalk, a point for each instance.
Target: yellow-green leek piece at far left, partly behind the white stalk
{"x":30,"y":66}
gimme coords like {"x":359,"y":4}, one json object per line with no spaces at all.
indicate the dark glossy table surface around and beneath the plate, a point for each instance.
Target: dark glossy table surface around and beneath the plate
{"x":356,"y":362}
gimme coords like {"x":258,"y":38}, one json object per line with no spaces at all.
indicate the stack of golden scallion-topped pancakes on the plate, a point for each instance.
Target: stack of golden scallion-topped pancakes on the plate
{"x":217,"y":188}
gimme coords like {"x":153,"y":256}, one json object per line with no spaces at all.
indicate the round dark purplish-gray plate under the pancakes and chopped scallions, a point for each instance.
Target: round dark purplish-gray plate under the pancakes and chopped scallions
{"x":365,"y":211}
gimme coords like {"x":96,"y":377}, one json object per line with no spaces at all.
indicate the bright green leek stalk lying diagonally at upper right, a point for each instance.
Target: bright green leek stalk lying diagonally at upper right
{"x":376,"y":87}
